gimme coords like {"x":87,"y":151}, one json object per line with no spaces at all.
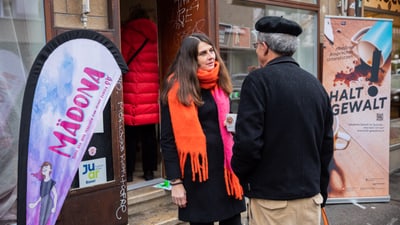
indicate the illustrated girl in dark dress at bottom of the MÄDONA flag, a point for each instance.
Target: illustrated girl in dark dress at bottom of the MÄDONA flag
{"x":47,"y":187}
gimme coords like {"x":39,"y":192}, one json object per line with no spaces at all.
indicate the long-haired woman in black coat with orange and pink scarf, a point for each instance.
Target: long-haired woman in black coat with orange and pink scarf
{"x":195,"y":144}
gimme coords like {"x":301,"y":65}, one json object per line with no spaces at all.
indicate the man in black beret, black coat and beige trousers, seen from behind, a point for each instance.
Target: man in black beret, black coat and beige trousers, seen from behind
{"x":284,"y":138}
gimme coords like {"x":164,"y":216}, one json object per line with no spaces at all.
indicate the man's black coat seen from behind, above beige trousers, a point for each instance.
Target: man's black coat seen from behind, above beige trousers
{"x":284,"y":138}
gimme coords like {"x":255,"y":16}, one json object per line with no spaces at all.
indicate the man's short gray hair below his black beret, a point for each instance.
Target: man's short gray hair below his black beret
{"x":283,"y":44}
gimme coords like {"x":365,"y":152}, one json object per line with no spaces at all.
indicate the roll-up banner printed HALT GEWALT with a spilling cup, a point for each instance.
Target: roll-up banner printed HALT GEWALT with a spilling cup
{"x":357,"y":77}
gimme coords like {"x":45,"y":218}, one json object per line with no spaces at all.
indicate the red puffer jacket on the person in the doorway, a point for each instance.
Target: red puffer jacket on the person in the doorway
{"x":141,"y":83}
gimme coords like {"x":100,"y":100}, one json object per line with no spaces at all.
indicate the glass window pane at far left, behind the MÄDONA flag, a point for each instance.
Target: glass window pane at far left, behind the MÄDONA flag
{"x":21,"y":38}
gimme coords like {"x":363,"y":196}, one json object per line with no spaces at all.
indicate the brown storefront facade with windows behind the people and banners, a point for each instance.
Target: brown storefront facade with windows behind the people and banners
{"x":230,"y":23}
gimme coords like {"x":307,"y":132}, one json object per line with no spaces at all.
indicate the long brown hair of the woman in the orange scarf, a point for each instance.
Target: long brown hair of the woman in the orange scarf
{"x":184,"y":70}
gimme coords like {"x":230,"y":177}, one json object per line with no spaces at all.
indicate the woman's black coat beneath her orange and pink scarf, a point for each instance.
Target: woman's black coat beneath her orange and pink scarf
{"x":207,"y":201}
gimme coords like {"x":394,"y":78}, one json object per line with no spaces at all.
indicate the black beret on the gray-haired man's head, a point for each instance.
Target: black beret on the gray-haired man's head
{"x":277,"y":24}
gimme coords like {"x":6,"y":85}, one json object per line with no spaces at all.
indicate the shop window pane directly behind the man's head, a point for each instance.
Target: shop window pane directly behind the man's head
{"x":236,"y":34}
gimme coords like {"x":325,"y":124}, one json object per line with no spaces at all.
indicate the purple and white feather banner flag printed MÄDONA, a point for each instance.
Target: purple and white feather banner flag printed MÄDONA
{"x":68,"y":87}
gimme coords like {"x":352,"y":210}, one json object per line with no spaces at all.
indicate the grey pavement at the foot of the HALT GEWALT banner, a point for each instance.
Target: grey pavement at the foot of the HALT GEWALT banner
{"x":369,"y":213}
